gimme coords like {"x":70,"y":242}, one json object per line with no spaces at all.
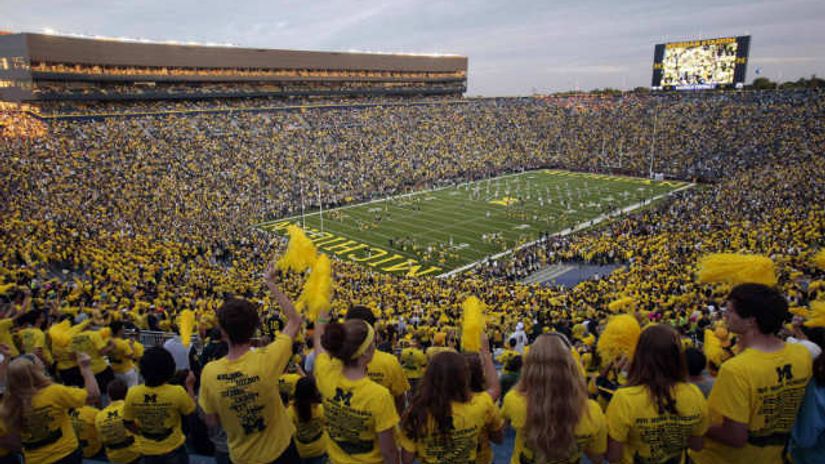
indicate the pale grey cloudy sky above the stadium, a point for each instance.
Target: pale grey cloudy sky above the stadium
{"x":514,"y":47}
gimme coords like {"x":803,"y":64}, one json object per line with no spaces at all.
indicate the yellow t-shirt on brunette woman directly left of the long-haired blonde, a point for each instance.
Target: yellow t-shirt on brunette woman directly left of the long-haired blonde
{"x":469,"y":422}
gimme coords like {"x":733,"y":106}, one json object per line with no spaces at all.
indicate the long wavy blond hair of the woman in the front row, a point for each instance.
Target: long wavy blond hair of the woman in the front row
{"x":556,"y":395}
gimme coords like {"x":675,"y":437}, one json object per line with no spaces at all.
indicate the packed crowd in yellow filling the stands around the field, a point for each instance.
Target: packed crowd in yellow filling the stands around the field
{"x":132,"y":220}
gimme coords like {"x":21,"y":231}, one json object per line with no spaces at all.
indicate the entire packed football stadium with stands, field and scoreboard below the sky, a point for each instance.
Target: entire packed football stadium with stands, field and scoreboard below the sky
{"x":231,"y":254}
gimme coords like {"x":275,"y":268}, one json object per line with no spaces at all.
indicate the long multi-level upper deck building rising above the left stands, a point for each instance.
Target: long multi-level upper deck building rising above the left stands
{"x":38,"y":67}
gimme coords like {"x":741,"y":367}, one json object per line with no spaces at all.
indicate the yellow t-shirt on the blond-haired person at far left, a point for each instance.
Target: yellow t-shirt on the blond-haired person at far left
{"x":48,"y":435}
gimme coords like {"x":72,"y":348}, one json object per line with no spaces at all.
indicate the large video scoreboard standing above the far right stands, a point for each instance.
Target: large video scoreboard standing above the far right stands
{"x":701,"y":64}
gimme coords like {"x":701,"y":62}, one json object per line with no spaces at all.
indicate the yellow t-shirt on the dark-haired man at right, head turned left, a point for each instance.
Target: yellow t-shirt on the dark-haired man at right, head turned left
{"x":764,"y":391}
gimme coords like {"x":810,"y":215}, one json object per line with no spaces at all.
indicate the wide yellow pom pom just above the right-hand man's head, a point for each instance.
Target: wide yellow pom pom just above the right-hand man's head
{"x":736,"y":269}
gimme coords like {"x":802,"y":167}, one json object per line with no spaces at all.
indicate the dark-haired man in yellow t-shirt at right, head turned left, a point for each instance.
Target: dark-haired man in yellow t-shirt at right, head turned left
{"x":766,"y":371}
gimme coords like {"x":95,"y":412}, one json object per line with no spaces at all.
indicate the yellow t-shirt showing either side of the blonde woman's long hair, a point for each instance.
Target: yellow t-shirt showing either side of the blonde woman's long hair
{"x":590,"y":432}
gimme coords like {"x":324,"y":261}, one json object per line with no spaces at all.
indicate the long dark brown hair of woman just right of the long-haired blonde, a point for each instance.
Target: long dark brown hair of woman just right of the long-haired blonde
{"x":659,"y":364}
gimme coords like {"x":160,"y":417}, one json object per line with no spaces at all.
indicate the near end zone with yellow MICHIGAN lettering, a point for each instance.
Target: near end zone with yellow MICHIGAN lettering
{"x":359,"y":252}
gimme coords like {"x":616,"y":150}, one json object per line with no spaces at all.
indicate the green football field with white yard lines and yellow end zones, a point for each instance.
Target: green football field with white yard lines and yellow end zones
{"x":446,"y":230}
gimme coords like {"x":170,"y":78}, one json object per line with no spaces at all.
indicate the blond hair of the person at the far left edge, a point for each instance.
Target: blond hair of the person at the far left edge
{"x":24,"y":378}
